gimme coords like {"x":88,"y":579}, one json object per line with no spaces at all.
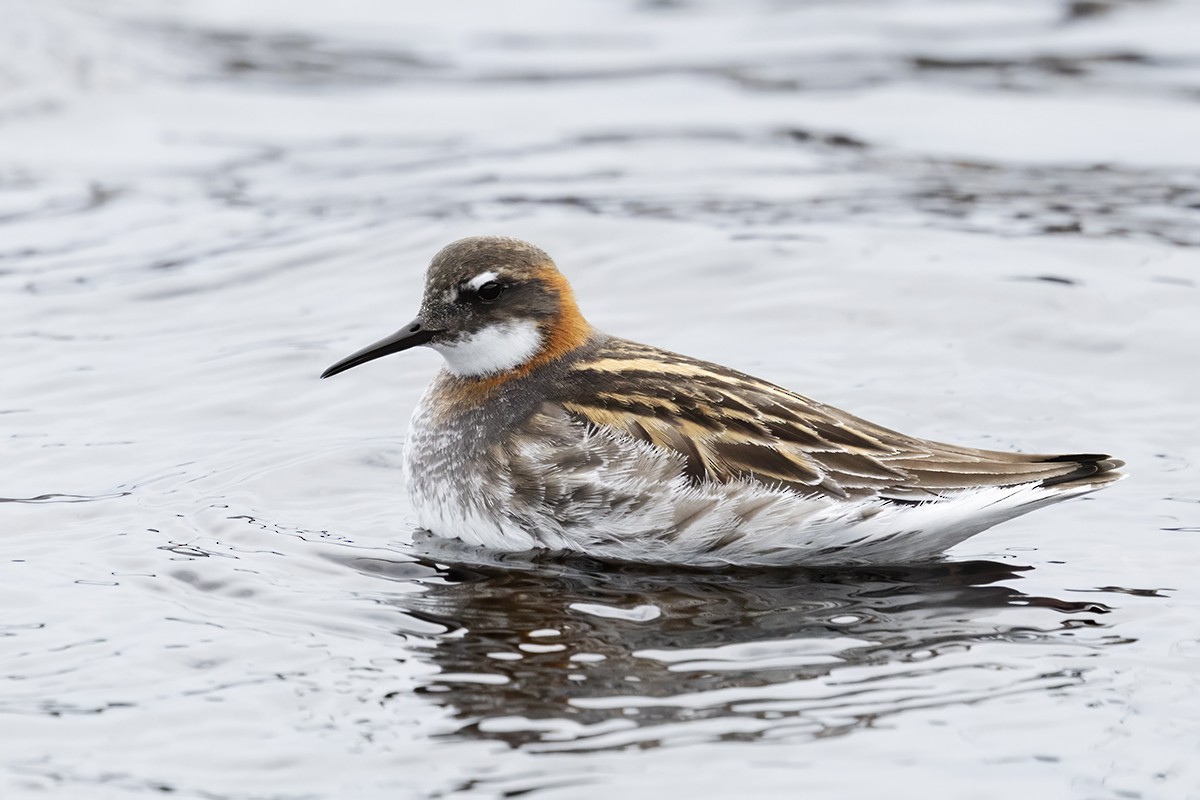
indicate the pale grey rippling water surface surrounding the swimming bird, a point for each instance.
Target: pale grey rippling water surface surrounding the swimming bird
{"x":973,"y":221}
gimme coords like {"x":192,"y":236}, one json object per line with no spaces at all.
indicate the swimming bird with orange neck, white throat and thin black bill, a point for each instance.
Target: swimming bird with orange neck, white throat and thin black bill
{"x":543,"y":434}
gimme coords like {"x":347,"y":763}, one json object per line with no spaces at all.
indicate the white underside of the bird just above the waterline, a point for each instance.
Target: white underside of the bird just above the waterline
{"x":789,"y":530}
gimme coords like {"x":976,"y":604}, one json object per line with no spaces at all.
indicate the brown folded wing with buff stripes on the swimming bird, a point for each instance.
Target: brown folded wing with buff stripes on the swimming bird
{"x":731,"y":426}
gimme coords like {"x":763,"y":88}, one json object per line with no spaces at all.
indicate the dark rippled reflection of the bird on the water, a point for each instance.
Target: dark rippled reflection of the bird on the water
{"x":580,"y":654}
